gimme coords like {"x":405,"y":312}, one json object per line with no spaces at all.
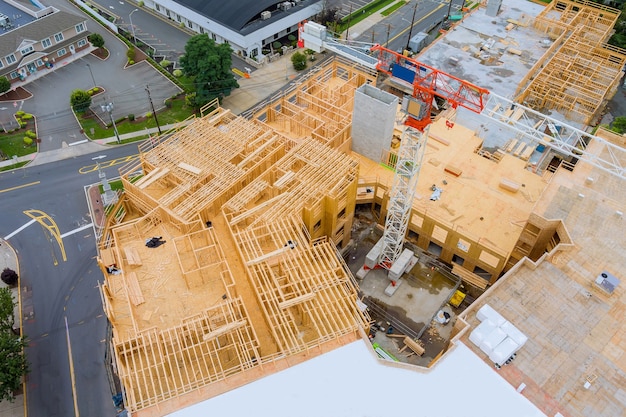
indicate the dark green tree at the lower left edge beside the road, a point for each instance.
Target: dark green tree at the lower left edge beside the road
{"x":13,"y":364}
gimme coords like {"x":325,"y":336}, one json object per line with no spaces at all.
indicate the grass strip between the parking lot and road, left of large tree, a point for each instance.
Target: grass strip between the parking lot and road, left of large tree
{"x":177,"y":113}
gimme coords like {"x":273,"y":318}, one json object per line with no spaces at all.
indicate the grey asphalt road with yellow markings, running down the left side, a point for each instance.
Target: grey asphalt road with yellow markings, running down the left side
{"x":56,"y":288}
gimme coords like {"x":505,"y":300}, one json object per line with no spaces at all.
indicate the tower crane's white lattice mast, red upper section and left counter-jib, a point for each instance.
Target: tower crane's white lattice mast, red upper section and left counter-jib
{"x":426,"y":83}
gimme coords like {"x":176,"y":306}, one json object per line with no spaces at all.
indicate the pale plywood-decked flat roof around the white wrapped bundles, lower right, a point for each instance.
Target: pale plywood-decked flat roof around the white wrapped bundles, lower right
{"x":576,"y":330}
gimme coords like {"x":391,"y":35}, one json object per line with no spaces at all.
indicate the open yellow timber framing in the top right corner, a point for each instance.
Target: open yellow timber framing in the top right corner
{"x":579,"y":72}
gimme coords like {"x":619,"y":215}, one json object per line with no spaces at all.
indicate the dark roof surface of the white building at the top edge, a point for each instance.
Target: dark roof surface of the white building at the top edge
{"x":234,"y":14}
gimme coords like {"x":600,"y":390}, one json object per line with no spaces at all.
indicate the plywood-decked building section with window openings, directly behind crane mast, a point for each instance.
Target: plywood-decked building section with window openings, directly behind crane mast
{"x":475,"y":219}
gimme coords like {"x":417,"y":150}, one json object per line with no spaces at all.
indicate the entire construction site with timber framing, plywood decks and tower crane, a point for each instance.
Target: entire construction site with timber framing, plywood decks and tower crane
{"x":407,"y":207}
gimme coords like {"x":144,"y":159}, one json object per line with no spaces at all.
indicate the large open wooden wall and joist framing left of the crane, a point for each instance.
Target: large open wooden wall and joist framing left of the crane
{"x":250,"y":211}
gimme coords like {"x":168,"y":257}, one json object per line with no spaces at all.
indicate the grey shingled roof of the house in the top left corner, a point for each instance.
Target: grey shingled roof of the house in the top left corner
{"x":38,"y":30}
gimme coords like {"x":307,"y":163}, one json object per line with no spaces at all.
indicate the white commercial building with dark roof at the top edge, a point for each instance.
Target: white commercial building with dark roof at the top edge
{"x":249,"y":26}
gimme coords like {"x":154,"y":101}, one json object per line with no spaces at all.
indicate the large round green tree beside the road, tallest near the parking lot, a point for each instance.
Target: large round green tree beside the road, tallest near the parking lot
{"x":210,"y":66}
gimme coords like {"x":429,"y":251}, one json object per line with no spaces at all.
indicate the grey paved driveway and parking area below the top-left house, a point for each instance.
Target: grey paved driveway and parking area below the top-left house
{"x":125,"y":88}
